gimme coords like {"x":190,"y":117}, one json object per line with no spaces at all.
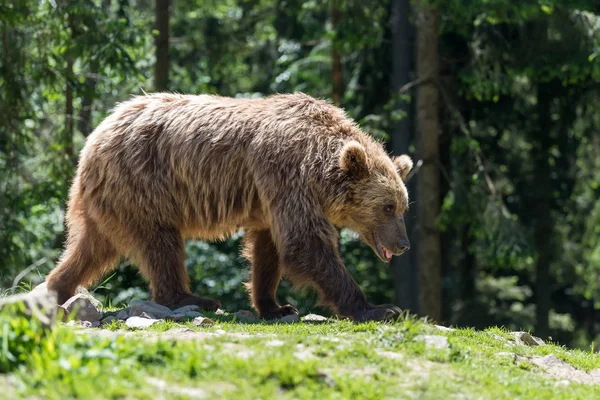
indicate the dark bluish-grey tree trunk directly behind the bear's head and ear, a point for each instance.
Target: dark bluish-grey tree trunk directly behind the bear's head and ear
{"x":404,"y":269}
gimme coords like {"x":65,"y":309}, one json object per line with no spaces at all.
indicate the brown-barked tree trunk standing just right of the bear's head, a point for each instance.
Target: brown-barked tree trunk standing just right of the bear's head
{"x":428,"y":178}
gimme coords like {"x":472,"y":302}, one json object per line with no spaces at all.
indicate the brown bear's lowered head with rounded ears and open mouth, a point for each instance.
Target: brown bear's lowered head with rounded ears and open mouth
{"x":377,"y":200}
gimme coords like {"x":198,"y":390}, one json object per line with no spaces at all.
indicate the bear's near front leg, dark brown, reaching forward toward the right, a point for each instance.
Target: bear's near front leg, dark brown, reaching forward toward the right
{"x":312,"y":258}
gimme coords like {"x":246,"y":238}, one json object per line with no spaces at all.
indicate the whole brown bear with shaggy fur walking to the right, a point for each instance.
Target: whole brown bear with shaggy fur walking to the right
{"x":288,"y":169}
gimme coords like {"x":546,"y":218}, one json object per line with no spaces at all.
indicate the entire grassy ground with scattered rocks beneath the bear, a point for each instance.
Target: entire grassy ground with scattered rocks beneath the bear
{"x":149,"y":350}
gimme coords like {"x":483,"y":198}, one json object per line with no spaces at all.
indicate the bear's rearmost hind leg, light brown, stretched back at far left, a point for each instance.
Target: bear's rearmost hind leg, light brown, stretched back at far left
{"x":88,"y":256}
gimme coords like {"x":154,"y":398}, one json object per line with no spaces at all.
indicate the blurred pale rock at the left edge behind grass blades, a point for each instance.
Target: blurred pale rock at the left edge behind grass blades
{"x":39,"y":305}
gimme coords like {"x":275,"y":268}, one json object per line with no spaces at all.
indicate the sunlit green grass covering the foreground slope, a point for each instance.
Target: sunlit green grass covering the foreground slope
{"x":335,"y":360}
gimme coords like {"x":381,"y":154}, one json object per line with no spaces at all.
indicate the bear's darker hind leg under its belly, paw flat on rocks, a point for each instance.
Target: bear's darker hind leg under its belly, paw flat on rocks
{"x":162,"y":261}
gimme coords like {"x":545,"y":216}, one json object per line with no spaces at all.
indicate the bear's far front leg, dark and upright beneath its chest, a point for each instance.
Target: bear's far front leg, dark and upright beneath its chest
{"x":265,"y":275}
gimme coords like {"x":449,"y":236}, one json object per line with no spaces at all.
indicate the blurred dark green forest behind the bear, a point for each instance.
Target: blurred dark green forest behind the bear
{"x":498,"y":101}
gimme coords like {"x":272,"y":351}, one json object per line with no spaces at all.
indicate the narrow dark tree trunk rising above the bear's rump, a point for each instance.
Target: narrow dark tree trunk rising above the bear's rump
{"x":161,"y":68}
